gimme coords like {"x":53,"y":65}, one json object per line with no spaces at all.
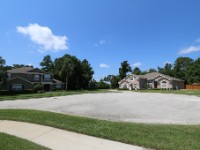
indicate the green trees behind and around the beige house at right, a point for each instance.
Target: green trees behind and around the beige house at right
{"x":184,"y":68}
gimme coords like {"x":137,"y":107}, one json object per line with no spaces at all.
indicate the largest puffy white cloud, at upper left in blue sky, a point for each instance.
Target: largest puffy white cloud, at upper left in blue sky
{"x":43,"y":36}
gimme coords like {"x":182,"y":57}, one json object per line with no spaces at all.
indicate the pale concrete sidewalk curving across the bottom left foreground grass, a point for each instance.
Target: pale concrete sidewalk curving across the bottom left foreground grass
{"x":58,"y":139}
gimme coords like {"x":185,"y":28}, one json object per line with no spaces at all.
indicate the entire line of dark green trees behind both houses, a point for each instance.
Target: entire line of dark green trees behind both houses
{"x":78,"y":74}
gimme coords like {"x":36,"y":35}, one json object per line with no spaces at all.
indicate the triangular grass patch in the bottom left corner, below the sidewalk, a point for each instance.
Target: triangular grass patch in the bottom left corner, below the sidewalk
{"x":9,"y":142}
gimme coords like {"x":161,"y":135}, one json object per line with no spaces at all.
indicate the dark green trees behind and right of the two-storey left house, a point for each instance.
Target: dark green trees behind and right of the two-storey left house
{"x":75,"y":73}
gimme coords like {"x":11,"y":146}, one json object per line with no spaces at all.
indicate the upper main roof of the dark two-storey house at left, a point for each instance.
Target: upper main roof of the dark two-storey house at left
{"x":26,"y":70}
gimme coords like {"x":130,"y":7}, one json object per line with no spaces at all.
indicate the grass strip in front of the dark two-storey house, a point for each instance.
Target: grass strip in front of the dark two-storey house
{"x":48,"y":94}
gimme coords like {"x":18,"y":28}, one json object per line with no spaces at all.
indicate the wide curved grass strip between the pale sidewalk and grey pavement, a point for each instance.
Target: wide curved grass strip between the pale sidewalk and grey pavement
{"x":155,"y":136}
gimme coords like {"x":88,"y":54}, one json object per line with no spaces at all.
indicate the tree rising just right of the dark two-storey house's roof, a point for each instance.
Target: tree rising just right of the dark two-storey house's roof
{"x":47,"y":64}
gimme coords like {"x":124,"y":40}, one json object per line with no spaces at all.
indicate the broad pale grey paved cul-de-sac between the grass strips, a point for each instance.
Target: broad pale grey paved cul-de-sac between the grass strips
{"x":123,"y":106}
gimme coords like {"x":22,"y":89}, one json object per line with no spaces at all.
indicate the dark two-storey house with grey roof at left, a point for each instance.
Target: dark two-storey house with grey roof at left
{"x":25,"y":78}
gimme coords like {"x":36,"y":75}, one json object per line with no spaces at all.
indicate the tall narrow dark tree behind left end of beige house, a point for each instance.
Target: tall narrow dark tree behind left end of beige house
{"x":124,"y":69}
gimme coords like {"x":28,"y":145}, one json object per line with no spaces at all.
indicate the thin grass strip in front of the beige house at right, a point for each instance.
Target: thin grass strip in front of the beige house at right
{"x":185,"y":92}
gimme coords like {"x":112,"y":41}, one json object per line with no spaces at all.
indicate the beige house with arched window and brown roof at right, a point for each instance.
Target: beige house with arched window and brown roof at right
{"x":152,"y":80}
